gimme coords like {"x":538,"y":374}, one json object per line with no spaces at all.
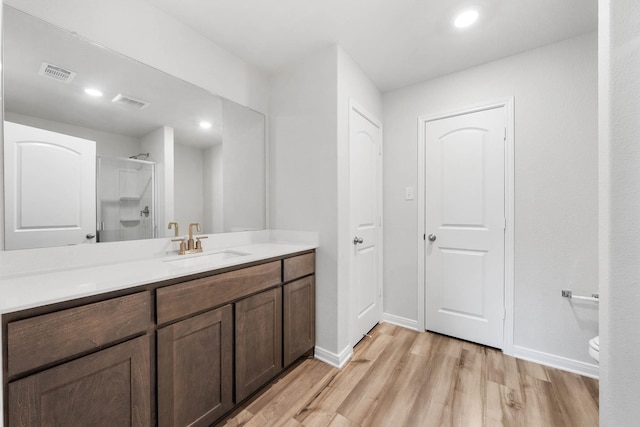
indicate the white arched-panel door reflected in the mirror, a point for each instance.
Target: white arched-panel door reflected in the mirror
{"x":50,"y":182}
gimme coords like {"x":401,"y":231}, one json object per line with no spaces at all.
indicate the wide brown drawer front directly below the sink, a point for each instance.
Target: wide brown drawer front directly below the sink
{"x":183,"y":299}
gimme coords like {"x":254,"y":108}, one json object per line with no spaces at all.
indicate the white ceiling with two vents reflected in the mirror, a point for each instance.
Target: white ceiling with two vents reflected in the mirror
{"x":28,"y":41}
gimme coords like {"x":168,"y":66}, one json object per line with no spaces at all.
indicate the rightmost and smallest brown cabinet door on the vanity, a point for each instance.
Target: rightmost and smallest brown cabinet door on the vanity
{"x":299,"y":318}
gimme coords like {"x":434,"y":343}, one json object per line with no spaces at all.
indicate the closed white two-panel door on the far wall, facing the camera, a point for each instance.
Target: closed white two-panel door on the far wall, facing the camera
{"x":465,"y":224}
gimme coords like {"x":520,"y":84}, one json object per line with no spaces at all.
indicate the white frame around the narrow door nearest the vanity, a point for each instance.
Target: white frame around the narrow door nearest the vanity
{"x":358,"y":109}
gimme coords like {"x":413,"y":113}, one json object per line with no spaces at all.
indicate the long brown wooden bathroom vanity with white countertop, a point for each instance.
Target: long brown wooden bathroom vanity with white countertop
{"x":182,"y":349}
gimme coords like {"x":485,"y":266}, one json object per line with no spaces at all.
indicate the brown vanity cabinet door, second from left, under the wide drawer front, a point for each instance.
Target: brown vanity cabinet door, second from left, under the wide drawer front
{"x":195,"y":369}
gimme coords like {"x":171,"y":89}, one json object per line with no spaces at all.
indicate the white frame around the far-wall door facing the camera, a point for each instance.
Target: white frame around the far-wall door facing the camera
{"x":508,"y":104}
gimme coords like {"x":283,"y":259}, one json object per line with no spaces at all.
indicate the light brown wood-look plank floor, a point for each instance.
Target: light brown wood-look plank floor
{"x":400,"y":377}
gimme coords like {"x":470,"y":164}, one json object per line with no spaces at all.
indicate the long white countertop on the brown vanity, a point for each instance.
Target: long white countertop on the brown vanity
{"x":27,"y":290}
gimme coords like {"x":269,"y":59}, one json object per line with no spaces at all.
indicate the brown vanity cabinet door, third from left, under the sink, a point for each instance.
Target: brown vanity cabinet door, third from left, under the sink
{"x":258,"y":341}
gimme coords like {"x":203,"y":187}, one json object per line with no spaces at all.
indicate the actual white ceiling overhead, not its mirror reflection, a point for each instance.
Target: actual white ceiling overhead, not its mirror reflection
{"x":396,"y":42}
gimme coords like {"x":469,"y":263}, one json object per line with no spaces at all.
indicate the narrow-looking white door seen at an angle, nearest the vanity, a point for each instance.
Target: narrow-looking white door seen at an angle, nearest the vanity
{"x":365,"y":158}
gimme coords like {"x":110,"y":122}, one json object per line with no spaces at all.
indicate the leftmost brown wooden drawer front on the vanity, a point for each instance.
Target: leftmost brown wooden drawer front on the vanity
{"x":48,"y":338}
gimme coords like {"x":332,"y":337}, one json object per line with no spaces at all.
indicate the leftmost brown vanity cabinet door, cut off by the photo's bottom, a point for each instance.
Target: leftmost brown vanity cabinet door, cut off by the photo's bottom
{"x":107,"y":388}
